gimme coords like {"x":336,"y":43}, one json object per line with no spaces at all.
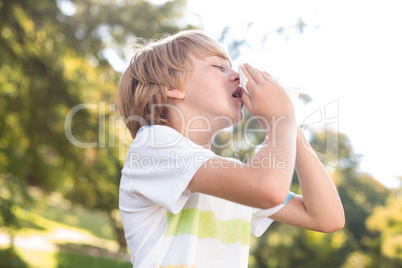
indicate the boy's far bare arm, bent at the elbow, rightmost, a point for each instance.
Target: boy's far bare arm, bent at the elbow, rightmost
{"x":320,"y":208}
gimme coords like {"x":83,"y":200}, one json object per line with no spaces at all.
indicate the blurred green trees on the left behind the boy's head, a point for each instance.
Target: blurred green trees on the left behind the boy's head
{"x":54,"y":58}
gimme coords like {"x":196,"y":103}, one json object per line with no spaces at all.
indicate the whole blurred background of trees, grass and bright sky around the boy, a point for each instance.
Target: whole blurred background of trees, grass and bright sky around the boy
{"x":62,"y":142}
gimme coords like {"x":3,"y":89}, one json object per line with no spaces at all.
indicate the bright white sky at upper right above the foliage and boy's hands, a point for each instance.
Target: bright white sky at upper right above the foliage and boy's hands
{"x":350,"y":55}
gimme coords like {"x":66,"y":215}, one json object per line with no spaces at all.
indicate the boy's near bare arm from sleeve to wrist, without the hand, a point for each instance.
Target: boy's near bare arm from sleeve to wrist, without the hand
{"x":253,"y":183}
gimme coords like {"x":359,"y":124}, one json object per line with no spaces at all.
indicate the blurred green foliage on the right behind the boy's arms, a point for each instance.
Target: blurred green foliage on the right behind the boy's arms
{"x":356,"y":245}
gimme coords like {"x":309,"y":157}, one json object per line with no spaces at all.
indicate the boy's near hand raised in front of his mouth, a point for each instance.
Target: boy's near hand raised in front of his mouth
{"x":267,"y":98}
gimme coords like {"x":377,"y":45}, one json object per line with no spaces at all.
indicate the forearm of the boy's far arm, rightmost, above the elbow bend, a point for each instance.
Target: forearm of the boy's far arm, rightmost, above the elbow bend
{"x":320,"y":196}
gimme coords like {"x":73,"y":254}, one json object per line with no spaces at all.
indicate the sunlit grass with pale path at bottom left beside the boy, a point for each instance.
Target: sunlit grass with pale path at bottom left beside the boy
{"x":53,"y":235}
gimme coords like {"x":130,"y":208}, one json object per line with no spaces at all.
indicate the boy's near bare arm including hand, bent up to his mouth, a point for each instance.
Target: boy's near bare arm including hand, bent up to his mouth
{"x":254,"y":184}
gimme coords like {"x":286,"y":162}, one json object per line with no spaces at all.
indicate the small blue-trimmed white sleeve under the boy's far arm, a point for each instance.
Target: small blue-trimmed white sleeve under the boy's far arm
{"x":260,"y":221}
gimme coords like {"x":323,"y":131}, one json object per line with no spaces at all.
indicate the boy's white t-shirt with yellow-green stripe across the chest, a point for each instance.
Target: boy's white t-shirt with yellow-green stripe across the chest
{"x":165,"y":224}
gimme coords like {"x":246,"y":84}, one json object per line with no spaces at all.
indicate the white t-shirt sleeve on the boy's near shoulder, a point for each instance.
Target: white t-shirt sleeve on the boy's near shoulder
{"x":160,"y":170}
